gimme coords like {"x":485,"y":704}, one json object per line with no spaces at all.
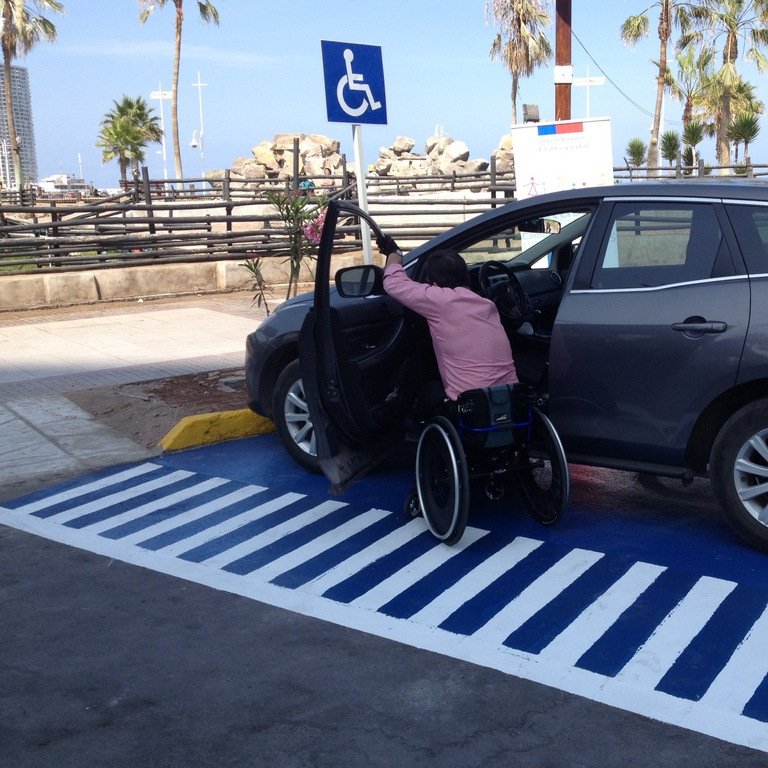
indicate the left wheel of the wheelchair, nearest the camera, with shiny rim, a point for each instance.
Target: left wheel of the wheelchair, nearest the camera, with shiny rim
{"x":442,"y":480}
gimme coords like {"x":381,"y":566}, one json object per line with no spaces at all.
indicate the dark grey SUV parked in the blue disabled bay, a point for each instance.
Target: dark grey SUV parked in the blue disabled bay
{"x":644,"y":311}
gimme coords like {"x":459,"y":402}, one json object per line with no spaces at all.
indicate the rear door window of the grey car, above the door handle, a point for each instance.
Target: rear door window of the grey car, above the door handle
{"x":653,"y":244}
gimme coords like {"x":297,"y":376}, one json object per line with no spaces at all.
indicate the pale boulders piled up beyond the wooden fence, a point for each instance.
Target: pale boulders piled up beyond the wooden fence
{"x":443,"y":156}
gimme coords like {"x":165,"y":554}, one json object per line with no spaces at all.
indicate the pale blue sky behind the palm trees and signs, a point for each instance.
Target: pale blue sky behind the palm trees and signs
{"x":263,"y":73}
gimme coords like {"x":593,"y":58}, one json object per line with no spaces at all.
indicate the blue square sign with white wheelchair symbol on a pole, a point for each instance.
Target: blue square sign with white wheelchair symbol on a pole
{"x":354,"y":83}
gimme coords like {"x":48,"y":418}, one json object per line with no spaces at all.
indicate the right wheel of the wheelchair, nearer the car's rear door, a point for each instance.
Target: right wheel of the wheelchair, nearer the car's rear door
{"x":545,"y":482}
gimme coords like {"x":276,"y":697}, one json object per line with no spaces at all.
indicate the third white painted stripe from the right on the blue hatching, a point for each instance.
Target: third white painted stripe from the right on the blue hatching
{"x":584,"y":631}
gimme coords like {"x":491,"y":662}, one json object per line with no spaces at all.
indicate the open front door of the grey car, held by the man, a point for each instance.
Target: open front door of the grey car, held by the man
{"x":354,"y":362}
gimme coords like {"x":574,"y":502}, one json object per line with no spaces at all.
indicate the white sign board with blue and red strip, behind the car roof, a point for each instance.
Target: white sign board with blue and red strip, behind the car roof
{"x":567,"y":154}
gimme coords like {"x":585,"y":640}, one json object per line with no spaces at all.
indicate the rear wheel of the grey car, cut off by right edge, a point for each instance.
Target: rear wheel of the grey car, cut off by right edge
{"x":739,"y":472}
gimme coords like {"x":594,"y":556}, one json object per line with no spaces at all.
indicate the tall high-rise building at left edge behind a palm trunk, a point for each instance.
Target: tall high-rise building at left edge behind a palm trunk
{"x":25,"y":129}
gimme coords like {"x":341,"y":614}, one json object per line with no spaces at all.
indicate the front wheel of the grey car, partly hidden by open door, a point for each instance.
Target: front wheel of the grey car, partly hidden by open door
{"x":293,"y":423}
